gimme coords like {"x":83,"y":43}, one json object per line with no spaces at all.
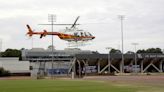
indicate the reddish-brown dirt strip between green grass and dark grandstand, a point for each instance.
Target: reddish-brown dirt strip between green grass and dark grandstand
{"x":151,"y":80}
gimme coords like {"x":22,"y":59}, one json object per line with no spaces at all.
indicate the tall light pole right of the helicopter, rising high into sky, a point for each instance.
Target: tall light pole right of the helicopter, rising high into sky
{"x":121,"y":17}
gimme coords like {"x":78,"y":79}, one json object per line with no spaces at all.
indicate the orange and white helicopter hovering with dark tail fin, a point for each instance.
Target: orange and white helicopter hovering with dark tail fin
{"x":72,"y":34}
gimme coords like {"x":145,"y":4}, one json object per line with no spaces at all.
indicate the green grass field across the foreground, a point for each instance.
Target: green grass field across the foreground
{"x":65,"y":86}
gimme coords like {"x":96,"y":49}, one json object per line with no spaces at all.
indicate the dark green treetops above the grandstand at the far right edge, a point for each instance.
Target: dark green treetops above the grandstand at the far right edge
{"x":150,"y":50}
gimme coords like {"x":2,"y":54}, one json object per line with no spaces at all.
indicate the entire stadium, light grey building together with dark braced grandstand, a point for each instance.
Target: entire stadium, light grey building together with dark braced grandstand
{"x":86,"y":62}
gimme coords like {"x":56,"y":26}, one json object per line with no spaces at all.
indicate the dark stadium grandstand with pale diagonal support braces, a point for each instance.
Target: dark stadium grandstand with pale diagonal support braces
{"x":146,"y":63}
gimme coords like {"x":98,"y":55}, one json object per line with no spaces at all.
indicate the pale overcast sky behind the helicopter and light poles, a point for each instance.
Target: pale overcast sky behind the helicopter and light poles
{"x":143,"y":22}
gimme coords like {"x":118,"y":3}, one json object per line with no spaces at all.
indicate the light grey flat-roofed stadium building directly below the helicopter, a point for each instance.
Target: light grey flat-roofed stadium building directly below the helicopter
{"x":41,"y":63}
